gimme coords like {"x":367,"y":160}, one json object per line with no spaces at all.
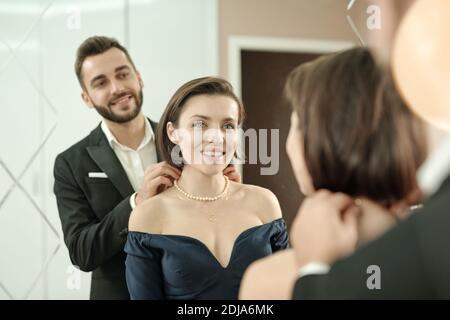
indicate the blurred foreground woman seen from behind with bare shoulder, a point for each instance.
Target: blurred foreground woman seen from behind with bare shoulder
{"x":350,"y":132}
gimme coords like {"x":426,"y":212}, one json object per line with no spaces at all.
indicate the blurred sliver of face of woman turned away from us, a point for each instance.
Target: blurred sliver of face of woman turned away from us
{"x":294,"y":149}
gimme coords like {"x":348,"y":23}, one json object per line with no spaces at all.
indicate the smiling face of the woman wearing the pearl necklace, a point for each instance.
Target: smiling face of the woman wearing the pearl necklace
{"x":206,"y":132}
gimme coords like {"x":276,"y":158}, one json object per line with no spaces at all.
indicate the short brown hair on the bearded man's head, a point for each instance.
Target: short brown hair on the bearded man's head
{"x":93,"y":46}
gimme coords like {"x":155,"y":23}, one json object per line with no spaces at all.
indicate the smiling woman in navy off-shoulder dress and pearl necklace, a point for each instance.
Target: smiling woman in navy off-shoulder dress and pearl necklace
{"x":195,"y":239}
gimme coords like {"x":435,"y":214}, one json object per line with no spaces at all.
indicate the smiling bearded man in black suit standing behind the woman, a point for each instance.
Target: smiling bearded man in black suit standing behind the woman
{"x":99,"y":180}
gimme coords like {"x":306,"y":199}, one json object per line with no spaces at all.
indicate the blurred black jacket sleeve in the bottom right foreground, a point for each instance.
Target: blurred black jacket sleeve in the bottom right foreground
{"x":414,"y":261}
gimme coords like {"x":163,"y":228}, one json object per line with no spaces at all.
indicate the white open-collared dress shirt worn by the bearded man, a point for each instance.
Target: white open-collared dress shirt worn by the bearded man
{"x":134,"y":161}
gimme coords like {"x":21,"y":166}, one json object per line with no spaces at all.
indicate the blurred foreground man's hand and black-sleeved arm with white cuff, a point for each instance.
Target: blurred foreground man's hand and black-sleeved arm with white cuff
{"x":409,"y":262}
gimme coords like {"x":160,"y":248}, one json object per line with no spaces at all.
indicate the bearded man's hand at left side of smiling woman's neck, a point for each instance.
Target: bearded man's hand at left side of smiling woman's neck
{"x":157,"y":178}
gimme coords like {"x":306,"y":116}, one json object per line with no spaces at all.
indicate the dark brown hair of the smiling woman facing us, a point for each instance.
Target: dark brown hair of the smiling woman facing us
{"x":200,"y":86}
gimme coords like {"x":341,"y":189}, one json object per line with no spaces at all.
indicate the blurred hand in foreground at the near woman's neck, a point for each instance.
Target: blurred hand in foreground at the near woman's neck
{"x":325,"y":228}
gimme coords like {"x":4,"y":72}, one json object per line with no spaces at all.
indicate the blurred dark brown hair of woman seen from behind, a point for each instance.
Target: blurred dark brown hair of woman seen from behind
{"x":358,"y":135}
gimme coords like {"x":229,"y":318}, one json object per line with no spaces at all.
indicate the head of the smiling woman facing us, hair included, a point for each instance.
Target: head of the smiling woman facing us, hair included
{"x":199,"y":126}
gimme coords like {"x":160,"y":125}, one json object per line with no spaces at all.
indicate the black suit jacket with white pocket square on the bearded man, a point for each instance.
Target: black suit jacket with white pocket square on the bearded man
{"x":94,"y":212}
